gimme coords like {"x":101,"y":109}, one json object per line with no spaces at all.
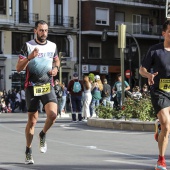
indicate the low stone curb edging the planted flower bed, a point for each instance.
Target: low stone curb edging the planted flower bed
{"x":122,"y":125}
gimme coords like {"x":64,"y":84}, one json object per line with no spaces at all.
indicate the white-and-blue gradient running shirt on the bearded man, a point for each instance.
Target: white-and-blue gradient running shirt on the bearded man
{"x":38,"y":68}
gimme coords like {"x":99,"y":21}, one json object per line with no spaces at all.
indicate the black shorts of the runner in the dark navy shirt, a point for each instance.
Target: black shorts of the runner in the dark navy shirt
{"x":160,"y":100}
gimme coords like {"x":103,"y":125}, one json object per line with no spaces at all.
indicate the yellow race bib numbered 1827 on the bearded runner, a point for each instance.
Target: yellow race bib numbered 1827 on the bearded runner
{"x":41,"y":90}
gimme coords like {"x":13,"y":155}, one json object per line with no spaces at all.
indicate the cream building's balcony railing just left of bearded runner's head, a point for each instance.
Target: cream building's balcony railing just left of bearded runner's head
{"x":29,"y":18}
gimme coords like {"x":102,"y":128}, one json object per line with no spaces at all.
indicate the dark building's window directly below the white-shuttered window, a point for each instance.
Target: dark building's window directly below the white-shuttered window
{"x":94,"y":50}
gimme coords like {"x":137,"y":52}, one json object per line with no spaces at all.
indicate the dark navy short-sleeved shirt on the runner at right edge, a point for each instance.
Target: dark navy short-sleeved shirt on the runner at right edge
{"x":158,"y":58}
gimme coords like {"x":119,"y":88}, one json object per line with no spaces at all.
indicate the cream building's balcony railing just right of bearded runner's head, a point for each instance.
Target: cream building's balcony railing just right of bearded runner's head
{"x":65,"y":21}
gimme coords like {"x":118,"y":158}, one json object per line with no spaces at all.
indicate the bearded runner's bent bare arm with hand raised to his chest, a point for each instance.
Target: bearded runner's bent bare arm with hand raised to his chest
{"x":22,"y":63}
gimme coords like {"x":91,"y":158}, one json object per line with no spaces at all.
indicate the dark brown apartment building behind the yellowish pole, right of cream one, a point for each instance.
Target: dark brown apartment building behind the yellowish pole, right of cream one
{"x":143,"y":20}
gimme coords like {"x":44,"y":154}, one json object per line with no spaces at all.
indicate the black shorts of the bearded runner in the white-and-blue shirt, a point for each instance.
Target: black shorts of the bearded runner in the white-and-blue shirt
{"x":33,"y":101}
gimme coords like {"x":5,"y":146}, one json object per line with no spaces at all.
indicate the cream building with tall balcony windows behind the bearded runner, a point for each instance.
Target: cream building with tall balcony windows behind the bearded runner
{"x":17,"y":19}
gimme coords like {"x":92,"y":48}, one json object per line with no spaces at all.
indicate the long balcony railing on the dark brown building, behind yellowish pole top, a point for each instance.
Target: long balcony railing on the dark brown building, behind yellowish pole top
{"x":141,"y":28}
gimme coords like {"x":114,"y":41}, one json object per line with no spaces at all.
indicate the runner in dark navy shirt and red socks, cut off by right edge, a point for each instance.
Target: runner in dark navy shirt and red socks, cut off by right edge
{"x":156,"y":67}
